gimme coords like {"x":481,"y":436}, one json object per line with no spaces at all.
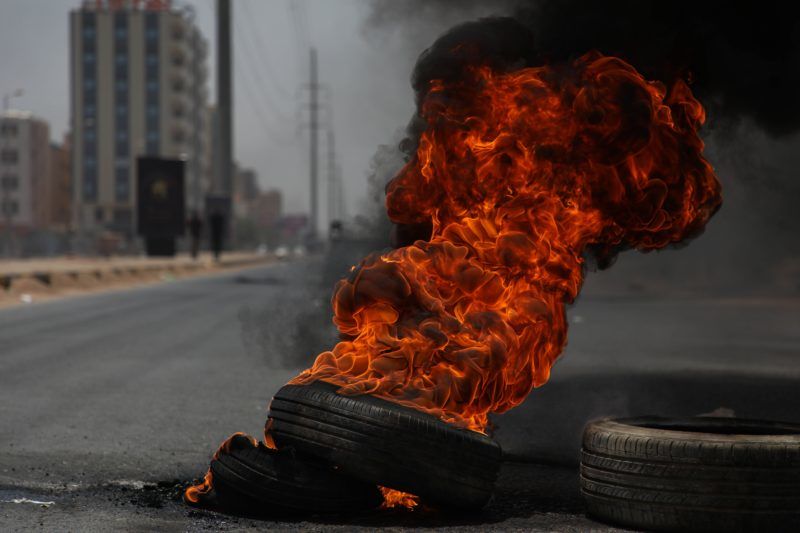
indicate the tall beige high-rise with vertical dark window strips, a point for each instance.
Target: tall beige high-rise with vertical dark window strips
{"x":138,"y":87}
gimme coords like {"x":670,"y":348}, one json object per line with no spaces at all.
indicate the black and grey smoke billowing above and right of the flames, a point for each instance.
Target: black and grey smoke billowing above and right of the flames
{"x":741,"y":60}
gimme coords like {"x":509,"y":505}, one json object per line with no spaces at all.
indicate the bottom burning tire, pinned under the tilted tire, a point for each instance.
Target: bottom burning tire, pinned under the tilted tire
{"x":258,"y":480}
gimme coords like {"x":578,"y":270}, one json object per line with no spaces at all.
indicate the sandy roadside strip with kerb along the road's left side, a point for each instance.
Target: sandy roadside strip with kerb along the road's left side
{"x":26,"y":280}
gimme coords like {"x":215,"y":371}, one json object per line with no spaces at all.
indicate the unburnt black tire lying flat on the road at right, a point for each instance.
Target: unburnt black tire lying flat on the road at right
{"x":695,"y":474}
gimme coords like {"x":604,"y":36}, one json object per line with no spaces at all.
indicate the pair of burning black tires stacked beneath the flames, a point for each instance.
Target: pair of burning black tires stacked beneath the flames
{"x":333,"y":451}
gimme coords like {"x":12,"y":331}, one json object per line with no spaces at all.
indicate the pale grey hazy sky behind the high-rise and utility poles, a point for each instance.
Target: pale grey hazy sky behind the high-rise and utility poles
{"x":367,"y":73}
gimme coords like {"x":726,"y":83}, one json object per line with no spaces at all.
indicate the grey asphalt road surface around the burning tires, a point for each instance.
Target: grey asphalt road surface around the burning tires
{"x":109,"y":403}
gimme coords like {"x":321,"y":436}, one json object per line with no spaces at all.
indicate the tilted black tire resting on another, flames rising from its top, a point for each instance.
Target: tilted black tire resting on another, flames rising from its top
{"x":387,"y":444}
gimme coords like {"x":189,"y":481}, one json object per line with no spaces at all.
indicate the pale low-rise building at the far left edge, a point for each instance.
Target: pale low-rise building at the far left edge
{"x":25,"y":190}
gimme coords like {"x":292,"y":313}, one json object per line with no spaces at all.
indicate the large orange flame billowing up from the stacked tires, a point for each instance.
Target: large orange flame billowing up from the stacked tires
{"x":521,"y":175}
